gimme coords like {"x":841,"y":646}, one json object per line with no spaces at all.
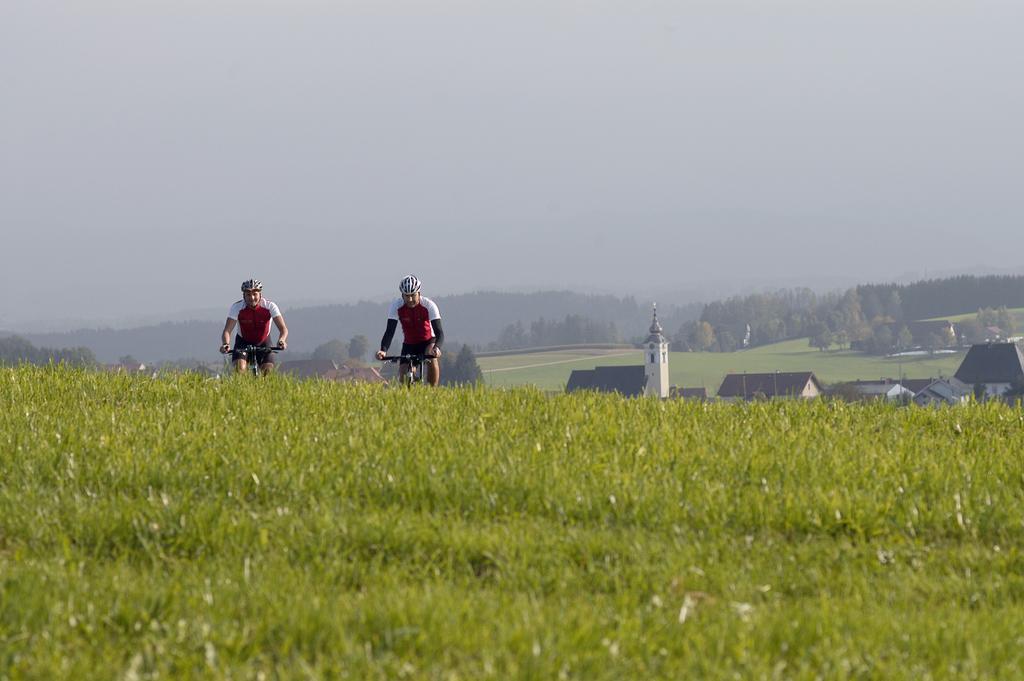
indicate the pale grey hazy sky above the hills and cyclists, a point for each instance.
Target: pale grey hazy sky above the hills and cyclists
{"x":155,"y":153}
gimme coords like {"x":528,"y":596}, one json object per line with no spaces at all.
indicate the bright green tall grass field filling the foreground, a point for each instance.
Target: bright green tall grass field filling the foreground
{"x":245,"y":529}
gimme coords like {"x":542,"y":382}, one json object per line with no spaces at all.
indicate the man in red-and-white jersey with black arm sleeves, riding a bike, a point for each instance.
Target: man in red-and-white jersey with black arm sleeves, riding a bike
{"x":421,"y":328}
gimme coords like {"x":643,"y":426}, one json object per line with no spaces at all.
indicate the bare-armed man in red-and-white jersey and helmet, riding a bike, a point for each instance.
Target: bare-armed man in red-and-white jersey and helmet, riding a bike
{"x":253,"y":316}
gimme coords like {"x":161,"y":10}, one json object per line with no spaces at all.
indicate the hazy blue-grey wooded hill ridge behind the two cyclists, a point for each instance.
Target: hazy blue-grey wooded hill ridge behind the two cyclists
{"x":475,"y":318}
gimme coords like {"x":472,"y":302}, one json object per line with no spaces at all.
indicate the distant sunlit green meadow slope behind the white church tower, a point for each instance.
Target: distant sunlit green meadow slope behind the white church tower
{"x":708,"y":369}
